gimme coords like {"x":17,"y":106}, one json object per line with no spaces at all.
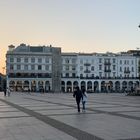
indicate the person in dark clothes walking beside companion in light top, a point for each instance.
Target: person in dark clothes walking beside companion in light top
{"x":78,"y":96}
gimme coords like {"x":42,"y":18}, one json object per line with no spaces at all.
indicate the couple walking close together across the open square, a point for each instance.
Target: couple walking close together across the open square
{"x":78,"y":95}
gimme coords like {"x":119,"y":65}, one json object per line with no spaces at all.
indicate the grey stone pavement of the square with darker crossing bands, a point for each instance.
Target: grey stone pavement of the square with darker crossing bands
{"x":37,"y":116}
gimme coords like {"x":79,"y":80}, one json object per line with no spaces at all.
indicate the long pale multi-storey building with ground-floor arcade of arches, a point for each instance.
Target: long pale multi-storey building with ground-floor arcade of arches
{"x":47,"y":69}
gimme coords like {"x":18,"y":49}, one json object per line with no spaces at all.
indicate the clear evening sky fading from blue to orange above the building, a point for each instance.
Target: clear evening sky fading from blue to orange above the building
{"x":74,"y":25}
